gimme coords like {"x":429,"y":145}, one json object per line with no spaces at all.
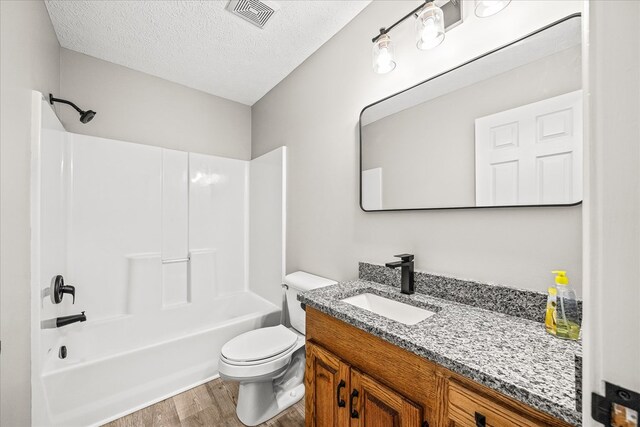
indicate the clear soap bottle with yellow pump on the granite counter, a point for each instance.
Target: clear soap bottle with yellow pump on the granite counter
{"x":567,"y":315}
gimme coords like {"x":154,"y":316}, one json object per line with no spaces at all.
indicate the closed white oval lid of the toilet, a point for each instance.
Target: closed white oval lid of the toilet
{"x":259,"y":344}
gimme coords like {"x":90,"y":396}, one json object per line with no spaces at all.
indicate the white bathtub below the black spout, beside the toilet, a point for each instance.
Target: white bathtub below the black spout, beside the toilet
{"x":94,"y":384}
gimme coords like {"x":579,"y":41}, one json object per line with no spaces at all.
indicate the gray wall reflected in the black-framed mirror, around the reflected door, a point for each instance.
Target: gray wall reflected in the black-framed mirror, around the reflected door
{"x":422,"y":147}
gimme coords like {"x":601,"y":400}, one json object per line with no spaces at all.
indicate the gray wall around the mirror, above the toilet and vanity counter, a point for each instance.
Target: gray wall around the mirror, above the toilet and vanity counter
{"x":314,"y":112}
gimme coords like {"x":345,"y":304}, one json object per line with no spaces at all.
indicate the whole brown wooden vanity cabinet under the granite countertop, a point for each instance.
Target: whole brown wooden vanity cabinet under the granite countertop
{"x":356,"y":379}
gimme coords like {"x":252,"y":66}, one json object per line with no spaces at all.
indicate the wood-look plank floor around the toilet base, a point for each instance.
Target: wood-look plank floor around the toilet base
{"x":211,"y":404}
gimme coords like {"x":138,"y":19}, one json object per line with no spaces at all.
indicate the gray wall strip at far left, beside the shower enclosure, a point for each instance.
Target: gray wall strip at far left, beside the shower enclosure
{"x":29,"y":59}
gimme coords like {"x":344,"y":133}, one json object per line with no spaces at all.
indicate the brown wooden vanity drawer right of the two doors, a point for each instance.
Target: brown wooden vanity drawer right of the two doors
{"x":468,"y":408}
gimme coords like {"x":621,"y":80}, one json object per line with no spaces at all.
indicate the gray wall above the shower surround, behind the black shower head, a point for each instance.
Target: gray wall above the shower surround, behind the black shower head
{"x":137,"y":107}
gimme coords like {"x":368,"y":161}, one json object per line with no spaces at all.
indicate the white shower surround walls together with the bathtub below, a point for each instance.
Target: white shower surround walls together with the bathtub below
{"x":156,"y":243}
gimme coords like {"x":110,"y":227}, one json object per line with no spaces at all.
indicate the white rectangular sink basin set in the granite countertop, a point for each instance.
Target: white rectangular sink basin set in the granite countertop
{"x":391,"y":309}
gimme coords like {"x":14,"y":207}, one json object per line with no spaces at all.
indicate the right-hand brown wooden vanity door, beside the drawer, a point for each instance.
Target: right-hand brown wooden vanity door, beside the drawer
{"x":372,"y":404}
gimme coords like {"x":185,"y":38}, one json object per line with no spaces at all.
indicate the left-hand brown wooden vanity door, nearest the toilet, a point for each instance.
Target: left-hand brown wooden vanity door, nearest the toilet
{"x":327,"y":388}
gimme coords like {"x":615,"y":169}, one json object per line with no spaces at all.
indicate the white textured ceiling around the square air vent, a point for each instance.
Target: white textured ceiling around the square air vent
{"x":199,"y":43}
